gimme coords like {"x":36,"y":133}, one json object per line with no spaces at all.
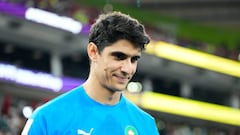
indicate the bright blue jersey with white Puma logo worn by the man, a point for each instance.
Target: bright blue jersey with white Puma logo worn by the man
{"x":75,"y":113}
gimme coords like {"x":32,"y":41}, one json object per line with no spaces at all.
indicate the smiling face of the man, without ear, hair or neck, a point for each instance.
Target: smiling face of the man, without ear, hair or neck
{"x":116,"y":65}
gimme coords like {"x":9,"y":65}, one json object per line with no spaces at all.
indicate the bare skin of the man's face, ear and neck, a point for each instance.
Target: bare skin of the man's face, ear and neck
{"x":111,"y":70}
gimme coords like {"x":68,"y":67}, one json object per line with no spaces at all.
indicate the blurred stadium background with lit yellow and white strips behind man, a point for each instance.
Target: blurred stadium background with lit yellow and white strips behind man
{"x":188,"y":79}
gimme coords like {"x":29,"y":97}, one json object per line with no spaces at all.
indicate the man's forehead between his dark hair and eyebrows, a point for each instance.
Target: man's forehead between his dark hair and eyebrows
{"x":123,"y":46}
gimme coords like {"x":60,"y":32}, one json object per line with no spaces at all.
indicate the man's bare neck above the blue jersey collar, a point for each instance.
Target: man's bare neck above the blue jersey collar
{"x":100,"y":93}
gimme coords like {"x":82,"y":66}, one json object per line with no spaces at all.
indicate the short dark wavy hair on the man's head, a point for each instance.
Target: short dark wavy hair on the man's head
{"x":114,"y":26}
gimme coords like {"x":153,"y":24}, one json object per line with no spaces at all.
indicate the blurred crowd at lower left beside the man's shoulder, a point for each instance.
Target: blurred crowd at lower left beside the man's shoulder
{"x":14,"y":114}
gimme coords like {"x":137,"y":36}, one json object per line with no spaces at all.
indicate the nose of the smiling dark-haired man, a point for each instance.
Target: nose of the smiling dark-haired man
{"x":128,"y":67}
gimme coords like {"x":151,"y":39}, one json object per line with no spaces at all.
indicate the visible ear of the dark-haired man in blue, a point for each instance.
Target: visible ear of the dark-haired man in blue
{"x":92,"y":51}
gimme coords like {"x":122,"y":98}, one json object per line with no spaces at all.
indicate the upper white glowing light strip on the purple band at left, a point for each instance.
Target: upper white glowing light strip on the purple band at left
{"x":53,"y":19}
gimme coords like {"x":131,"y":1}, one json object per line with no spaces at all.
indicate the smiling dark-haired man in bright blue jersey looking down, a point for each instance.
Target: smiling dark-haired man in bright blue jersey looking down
{"x":98,"y":107}
